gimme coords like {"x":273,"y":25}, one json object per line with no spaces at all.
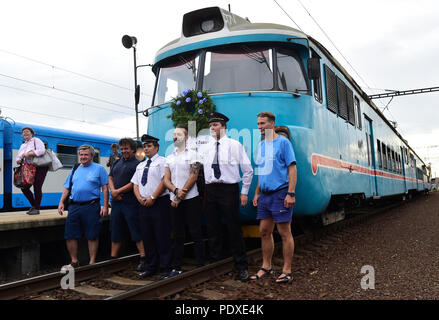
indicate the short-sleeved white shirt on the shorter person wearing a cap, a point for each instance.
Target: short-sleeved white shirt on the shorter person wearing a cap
{"x":156,"y":173}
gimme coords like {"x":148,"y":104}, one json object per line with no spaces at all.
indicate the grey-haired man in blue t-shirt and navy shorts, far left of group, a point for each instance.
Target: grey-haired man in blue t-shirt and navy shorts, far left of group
{"x":85,"y":211}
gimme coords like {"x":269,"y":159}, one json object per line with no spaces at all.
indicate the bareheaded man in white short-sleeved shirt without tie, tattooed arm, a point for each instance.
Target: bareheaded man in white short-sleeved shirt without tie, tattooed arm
{"x":181,"y":175}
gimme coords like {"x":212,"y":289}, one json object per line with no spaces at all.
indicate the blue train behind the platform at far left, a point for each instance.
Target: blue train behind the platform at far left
{"x":64,"y":143}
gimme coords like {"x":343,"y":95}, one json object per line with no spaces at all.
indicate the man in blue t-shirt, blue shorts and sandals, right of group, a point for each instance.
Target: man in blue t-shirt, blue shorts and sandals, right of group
{"x":274,"y":195}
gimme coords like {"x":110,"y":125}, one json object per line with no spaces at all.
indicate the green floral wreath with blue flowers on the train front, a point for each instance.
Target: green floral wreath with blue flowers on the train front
{"x":192,"y":105}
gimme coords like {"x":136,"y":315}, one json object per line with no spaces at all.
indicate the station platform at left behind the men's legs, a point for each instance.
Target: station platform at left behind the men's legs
{"x":30,"y":243}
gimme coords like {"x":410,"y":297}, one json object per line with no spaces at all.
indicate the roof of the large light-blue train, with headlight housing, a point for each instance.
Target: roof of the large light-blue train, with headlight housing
{"x":227,"y":25}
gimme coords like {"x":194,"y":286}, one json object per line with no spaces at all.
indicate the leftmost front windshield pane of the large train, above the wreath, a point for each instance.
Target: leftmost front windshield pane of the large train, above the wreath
{"x":175,"y":76}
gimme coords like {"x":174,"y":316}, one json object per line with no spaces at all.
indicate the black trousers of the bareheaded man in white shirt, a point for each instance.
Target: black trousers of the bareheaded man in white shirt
{"x":187,"y":213}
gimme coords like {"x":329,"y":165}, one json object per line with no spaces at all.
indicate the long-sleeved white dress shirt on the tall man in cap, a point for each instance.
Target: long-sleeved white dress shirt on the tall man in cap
{"x":231,"y":157}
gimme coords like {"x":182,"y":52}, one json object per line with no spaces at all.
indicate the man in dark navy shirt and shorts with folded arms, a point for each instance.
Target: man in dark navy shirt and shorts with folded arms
{"x":124,"y":205}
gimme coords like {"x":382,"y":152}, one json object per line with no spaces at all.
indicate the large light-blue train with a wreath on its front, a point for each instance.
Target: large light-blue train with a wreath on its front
{"x":346,"y":149}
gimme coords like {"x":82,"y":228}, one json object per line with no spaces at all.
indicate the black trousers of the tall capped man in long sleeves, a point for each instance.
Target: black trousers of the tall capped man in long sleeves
{"x":222,"y":200}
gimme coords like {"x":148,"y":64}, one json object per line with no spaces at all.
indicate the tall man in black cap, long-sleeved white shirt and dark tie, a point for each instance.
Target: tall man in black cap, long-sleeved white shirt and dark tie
{"x":222,"y":159}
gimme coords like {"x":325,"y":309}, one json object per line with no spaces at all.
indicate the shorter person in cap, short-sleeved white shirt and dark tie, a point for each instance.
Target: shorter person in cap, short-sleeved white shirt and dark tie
{"x":155,"y":219}
